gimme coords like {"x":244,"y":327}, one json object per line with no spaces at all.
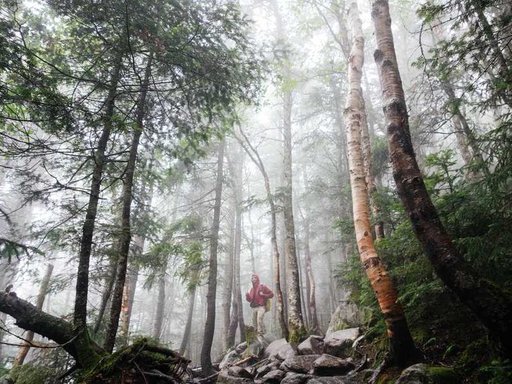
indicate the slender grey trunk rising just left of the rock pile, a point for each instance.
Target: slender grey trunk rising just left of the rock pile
{"x":209,"y":328}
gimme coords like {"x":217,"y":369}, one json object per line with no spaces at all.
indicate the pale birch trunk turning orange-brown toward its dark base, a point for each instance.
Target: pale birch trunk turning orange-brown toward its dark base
{"x":402,"y":345}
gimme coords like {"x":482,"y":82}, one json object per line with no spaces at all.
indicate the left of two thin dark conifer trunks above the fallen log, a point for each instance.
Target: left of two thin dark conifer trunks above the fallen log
{"x":82,"y":279}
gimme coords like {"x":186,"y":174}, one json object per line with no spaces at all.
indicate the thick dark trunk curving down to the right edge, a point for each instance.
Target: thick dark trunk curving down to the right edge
{"x":491,"y":305}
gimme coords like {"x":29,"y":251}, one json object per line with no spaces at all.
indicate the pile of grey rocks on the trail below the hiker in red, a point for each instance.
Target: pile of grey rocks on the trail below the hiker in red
{"x":316,"y":360}
